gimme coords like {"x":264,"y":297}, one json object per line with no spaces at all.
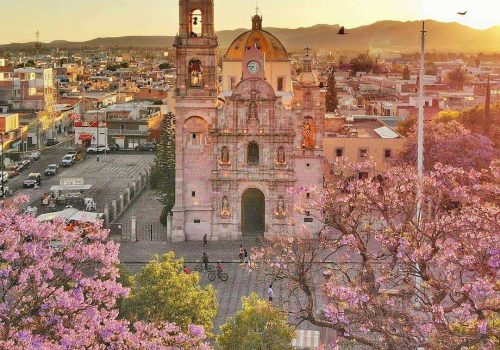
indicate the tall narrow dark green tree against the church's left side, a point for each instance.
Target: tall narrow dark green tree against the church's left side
{"x":165,"y":162}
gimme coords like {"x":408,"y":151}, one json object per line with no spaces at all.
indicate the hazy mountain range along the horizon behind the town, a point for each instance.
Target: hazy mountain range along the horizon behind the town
{"x":382,"y":35}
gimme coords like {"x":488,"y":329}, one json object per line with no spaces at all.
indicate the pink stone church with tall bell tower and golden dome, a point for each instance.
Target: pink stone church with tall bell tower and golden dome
{"x":241,"y":142}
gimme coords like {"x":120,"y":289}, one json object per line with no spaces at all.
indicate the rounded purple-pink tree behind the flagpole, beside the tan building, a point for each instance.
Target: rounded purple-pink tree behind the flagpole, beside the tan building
{"x":449,"y":143}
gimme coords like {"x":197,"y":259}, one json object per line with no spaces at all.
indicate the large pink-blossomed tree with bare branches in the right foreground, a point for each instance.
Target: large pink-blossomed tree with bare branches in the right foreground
{"x":371,"y":250}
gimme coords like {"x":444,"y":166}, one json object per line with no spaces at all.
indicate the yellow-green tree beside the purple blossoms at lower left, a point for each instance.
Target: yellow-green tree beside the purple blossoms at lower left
{"x":162,"y":292}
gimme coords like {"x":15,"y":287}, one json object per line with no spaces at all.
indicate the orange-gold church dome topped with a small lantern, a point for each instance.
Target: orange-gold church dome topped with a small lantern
{"x":268,"y":43}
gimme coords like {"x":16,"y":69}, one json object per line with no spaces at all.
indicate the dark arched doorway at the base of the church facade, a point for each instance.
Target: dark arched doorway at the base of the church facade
{"x":253,"y":212}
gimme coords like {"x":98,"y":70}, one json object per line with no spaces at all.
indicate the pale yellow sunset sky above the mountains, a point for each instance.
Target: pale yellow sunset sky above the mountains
{"x":78,"y":20}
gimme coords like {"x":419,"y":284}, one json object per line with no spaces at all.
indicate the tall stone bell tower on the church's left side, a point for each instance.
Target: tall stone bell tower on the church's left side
{"x":196,"y":113}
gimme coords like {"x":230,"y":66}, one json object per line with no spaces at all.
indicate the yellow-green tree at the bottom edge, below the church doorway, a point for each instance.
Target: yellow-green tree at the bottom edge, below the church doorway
{"x":259,"y":325}
